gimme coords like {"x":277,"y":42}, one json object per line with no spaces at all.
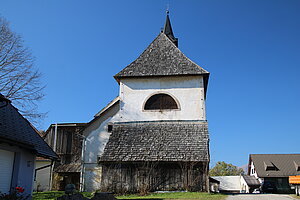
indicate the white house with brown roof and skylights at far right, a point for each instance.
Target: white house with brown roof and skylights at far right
{"x":275,"y":168}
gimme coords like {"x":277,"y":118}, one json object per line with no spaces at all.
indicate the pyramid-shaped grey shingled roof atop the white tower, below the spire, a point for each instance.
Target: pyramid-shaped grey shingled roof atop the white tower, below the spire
{"x":161,"y":58}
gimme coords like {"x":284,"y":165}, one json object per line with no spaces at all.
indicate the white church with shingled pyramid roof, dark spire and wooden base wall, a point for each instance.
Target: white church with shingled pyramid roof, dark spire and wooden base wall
{"x":158,"y":137}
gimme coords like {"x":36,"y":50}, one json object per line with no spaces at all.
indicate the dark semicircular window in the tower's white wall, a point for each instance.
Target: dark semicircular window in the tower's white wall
{"x":160,"y":102}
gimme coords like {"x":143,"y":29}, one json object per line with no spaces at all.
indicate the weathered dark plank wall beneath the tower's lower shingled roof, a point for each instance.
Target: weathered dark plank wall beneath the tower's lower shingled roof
{"x":153,"y":176}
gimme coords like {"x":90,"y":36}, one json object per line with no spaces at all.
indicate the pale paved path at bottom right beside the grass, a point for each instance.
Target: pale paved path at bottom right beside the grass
{"x":259,"y":197}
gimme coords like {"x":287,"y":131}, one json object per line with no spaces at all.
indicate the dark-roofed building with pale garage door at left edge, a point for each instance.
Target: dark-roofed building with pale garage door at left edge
{"x":20,"y":144}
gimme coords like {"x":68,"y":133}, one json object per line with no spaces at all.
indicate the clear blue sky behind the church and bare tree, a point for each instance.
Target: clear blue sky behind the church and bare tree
{"x":250,"y":47}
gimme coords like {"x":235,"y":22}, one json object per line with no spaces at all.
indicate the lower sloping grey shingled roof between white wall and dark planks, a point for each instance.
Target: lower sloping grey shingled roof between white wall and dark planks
{"x":157,"y":141}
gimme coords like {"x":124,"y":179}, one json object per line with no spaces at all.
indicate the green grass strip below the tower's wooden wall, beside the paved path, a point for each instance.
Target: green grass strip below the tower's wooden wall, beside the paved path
{"x":177,"y":195}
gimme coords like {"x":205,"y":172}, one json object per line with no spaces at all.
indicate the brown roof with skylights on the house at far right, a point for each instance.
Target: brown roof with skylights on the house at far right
{"x":276,"y":165}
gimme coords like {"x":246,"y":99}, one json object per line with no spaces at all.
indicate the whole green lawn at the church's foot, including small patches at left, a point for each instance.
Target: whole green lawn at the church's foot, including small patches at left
{"x":172,"y":195}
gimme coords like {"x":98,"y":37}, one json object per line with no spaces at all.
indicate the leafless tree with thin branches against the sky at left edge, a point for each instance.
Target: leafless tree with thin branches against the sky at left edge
{"x":19,"y":80}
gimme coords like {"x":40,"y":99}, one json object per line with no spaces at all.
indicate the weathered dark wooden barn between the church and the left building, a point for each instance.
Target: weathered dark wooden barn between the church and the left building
{"x":66,"y":139}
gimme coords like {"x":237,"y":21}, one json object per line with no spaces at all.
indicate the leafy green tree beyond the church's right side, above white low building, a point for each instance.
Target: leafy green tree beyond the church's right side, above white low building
{"x":224,"y":169}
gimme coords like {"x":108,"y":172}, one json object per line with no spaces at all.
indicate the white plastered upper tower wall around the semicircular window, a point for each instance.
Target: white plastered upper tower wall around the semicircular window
{"x":188,"y":91}
